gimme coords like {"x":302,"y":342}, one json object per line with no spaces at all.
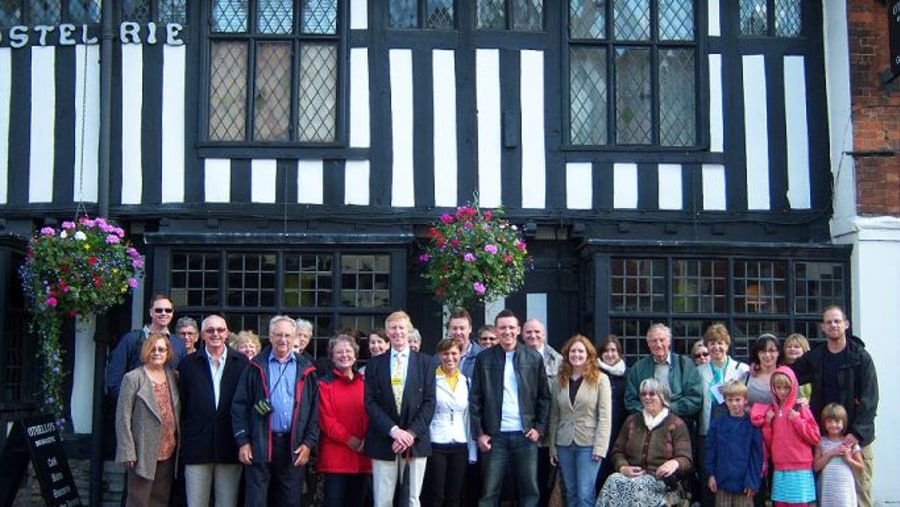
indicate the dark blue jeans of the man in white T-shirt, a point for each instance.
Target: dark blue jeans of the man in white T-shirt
{"x":509,"y":450}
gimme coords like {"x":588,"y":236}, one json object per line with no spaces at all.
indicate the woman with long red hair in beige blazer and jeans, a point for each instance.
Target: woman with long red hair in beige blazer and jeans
{"x":580,"y":420}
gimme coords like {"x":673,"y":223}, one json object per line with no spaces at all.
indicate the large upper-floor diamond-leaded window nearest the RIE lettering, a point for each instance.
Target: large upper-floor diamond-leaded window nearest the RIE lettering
{"x":273,"y":71}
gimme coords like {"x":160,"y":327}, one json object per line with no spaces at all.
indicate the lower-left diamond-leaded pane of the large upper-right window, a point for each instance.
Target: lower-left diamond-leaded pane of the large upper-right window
{"x":587,"y":104}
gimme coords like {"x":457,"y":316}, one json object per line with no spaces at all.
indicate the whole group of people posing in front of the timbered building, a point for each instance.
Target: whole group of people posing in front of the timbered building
{"x":453,"y":428}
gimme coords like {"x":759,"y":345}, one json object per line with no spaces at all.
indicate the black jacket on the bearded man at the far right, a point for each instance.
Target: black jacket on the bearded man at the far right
{"x":857,"y":386}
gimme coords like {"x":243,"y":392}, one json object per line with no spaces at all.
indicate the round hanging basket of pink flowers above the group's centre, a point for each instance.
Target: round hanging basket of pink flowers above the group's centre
{"x":473,"y":256}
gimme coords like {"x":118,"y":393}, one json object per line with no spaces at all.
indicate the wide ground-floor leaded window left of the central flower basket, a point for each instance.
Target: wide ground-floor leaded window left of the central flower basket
{"x":333,"y":290}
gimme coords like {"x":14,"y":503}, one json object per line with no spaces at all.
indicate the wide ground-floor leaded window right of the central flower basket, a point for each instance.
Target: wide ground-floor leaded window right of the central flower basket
{"x":750,"y":296}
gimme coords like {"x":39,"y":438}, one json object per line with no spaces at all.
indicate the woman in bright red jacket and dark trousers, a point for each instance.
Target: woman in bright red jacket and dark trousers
{"x":343,"y":420}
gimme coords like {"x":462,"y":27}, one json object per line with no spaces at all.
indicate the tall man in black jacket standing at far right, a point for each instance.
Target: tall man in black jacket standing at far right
{"x":841,"y":371}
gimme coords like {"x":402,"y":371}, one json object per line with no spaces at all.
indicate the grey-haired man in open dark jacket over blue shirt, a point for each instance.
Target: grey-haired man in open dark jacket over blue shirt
{"x":275,"y":418}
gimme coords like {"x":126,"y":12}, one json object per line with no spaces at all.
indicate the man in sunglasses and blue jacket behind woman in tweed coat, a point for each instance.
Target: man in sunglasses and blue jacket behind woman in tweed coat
{"x":127,"y":354}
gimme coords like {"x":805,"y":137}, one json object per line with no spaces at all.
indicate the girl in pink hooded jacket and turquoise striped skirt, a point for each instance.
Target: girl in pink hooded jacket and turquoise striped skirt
{"x":790,"y":433}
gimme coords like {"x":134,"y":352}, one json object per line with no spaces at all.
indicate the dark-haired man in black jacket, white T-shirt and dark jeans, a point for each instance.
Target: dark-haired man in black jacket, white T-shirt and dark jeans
{"x":509,"y":406}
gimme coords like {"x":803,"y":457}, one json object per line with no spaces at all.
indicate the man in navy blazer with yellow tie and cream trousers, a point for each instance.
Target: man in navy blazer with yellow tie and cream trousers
{"x":405,"y":377}
